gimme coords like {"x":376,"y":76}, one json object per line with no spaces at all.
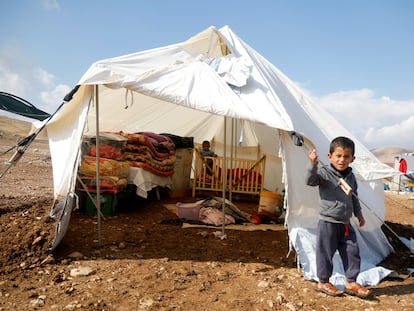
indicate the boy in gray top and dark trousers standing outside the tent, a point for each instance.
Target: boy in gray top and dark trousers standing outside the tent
{"x":337,"y":205}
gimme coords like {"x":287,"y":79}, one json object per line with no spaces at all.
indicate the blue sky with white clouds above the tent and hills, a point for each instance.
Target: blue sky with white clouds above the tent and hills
{"x":354,"y":57}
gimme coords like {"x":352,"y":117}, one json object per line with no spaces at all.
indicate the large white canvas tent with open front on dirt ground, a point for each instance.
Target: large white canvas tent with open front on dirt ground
{"x":187,"y":89}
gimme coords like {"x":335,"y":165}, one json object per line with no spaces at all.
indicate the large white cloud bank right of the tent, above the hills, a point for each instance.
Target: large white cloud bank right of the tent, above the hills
{"x":377,"y":122}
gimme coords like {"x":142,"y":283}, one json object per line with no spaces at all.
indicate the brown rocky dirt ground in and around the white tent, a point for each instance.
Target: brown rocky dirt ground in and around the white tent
{"x":147,"y":261}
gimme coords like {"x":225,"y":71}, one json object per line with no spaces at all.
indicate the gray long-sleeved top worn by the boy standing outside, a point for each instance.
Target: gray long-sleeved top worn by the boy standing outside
{"x":335,"y":205}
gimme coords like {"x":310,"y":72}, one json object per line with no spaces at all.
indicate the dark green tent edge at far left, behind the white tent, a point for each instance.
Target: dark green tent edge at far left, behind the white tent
{"x":14,"y":104}
